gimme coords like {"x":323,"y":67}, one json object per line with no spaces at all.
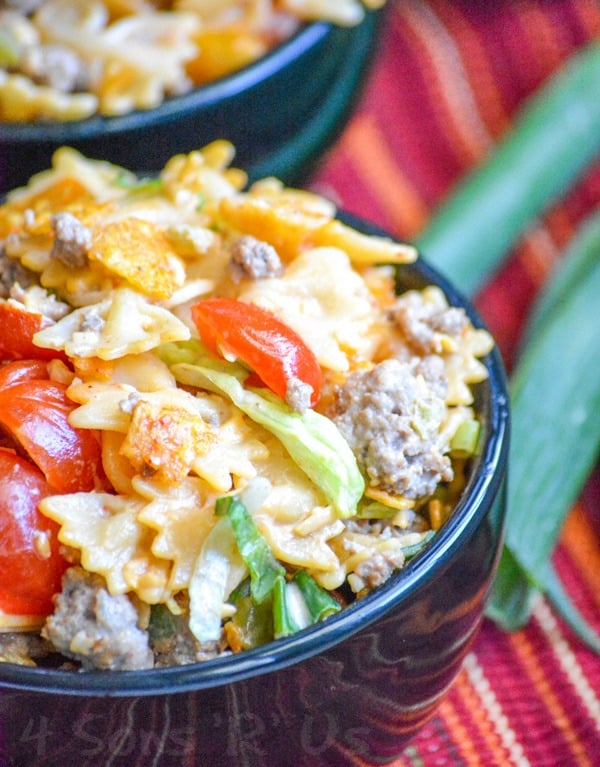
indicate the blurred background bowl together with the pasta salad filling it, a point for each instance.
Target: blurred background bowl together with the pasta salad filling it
{"x":134,"y":82}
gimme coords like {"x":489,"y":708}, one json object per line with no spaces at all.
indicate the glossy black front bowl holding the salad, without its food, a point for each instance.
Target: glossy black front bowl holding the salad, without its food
{"x":349,"y":691}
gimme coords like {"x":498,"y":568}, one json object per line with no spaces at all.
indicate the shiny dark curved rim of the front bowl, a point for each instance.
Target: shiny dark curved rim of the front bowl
{"x":482,"y":488}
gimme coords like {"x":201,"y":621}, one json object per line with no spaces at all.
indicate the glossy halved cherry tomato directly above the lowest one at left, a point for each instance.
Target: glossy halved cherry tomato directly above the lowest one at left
{"x":35,"y":413}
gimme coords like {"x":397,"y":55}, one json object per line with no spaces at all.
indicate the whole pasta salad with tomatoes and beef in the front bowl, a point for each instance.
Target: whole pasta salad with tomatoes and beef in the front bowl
{"x":220,"y":422}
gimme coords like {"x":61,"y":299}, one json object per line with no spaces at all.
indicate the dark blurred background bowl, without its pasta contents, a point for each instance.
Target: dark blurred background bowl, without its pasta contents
{"x":280,"y":112}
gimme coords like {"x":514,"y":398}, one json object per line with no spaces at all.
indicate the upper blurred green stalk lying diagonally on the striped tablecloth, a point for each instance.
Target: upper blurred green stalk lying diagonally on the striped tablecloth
{"x":553,"y":140}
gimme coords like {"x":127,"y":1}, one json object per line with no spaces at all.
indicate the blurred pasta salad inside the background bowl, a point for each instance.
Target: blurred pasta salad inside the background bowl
{"x":70,"y":59}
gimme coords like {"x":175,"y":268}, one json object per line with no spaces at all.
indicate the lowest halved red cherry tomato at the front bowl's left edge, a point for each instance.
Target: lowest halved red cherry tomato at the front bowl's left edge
{"x":30,"y":561}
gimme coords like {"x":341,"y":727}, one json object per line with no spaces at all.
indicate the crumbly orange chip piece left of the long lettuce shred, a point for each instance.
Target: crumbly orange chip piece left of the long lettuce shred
{"x":165,"y":440}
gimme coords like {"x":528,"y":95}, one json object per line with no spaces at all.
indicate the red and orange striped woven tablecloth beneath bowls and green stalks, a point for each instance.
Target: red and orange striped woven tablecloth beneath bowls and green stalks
{"x":448,"y":78}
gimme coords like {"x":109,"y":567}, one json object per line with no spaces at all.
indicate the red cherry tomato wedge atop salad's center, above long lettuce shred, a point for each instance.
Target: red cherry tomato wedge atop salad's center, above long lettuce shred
{"x":275,"y":352}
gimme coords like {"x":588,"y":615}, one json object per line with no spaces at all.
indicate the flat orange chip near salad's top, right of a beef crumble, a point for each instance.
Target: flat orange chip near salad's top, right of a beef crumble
{"x":140,"y":253}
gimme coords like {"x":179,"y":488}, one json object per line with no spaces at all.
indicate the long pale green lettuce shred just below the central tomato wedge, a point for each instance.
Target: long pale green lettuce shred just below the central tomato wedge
{"x":312,"y":440}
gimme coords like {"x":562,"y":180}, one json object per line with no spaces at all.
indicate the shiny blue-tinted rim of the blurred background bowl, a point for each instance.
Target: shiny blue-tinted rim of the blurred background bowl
{"x":306,"y":37}
